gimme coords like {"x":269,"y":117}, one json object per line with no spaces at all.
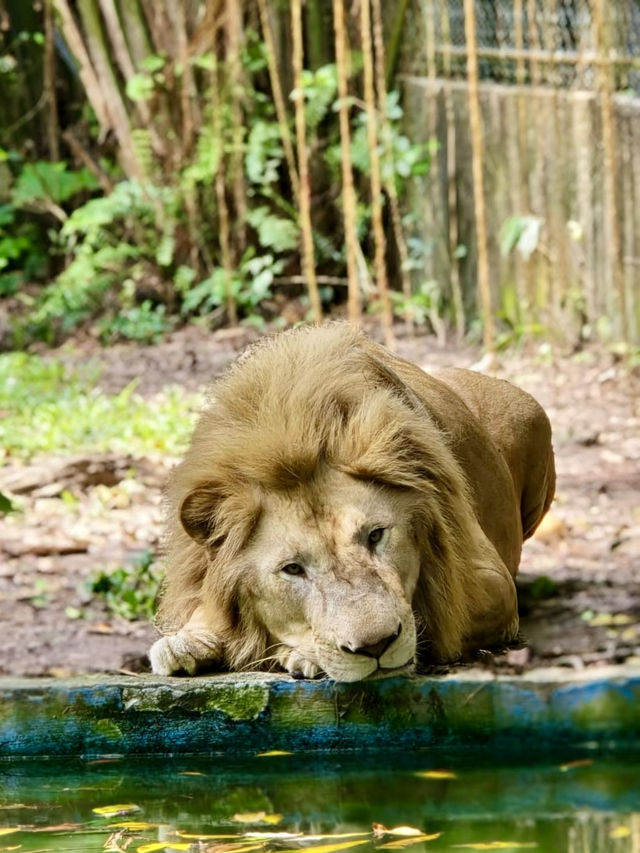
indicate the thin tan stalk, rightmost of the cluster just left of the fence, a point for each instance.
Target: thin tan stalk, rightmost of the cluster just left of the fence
{"x":389,"y":181}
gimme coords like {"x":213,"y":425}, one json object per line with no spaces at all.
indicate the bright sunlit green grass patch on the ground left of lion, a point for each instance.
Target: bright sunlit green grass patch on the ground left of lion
{"x":47,"y":407}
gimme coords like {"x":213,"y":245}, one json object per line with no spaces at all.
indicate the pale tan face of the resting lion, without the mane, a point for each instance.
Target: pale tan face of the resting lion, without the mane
{"x":330,"y":572}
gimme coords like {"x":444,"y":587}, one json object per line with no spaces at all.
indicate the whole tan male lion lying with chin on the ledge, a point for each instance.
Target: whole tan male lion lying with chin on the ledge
{"x":340,"y":512}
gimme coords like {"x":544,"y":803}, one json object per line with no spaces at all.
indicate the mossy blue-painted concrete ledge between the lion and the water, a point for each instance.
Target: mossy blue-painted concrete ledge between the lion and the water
{"x":255,"y":712}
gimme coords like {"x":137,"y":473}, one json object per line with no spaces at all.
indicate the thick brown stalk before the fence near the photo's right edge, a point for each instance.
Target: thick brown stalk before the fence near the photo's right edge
{"x":610,"y":165}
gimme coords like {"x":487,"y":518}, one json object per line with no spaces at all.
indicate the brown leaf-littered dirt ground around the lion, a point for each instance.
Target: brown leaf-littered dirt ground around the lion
{"x":579,"y":583}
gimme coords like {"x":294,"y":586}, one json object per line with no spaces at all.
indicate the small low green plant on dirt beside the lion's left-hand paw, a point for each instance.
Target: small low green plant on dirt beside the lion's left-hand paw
{"x":130,"y":591}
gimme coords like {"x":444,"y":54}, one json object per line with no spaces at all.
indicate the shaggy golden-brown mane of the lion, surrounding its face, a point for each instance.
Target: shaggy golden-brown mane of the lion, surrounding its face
{"x":302,"y":399}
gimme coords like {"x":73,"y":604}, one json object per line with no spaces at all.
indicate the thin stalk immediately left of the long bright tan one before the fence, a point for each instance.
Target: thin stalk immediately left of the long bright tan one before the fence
{"x":452,"y":201}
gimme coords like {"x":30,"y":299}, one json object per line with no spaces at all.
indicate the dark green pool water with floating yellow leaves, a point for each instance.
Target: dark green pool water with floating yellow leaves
{"x":579,"y":803}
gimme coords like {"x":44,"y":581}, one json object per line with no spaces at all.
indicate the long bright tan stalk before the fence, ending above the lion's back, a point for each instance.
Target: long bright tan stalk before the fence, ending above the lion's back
{"x":477,"y":154}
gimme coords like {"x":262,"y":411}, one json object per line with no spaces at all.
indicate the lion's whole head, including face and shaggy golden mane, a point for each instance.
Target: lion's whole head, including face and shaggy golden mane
{"x":316,"y":503}
